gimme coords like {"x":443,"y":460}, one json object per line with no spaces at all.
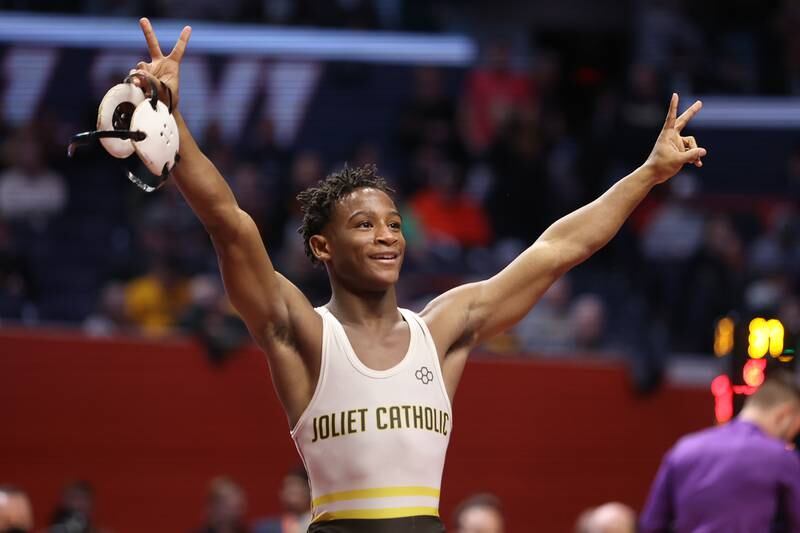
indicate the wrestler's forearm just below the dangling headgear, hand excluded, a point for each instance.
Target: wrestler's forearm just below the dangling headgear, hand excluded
{"x":203,"y":186}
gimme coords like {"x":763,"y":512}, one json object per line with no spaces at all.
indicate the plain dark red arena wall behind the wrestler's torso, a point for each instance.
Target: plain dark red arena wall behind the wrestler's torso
{"x":149,"y":423}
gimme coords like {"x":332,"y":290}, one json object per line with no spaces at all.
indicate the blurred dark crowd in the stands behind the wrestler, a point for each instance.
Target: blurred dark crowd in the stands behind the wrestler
{"x":482,"y":159}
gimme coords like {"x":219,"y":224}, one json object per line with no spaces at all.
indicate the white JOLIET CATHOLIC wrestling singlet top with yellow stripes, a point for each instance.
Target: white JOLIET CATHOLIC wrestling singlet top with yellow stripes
{"x":374,"y":441}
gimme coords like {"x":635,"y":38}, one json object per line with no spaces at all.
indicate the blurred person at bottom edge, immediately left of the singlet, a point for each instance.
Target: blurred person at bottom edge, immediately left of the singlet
{"x":295,"y":497}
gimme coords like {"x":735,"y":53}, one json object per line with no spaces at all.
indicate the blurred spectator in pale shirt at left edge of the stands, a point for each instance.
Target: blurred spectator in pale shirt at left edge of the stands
{"x":29,"y":190}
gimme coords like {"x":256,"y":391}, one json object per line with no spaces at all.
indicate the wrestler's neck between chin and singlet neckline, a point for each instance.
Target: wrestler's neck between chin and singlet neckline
{"x":364,"y":308}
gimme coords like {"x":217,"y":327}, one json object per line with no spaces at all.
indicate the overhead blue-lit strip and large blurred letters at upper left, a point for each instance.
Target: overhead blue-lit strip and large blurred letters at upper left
{"x":230,"y":72}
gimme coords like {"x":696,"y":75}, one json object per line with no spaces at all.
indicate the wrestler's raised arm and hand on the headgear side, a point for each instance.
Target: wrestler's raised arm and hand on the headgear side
{"x":277,"y":314}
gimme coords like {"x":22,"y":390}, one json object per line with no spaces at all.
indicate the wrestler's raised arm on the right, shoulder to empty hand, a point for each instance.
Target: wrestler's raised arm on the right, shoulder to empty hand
{"x":468,"y":314}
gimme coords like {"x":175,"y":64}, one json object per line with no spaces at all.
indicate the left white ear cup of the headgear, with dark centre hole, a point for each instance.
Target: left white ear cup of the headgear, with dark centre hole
{"x":115,"y":113}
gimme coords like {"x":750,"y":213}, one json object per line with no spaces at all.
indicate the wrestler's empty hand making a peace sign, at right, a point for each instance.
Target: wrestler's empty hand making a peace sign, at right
{"x":672,"y":151}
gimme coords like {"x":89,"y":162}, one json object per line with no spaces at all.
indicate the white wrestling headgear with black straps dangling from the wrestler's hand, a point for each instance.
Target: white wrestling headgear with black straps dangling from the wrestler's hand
{"x":128,"y":122}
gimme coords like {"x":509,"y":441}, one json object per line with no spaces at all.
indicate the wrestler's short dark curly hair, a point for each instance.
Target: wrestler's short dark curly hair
{"x":317,"y":202}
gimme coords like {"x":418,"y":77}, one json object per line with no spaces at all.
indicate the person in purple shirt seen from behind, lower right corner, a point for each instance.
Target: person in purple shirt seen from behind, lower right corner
{"x":738,"y":477}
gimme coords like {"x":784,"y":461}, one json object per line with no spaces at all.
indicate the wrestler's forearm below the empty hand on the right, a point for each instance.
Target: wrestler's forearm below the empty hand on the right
{"x":583,"y":232}
